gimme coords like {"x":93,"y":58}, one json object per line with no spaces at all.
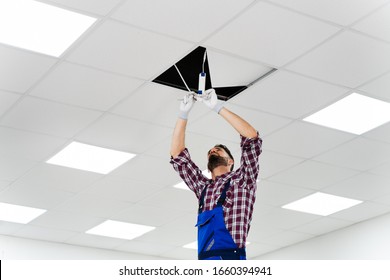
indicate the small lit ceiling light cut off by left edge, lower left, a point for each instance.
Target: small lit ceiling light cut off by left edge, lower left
{"x":19,"y":214}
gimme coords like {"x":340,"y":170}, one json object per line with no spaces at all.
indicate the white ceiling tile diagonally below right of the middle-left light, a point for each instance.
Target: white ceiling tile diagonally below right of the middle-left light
{"x":111,"y":187}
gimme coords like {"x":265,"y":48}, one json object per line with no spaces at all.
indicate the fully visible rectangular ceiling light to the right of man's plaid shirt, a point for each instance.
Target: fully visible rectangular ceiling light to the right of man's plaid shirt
{"x":321,"y":204}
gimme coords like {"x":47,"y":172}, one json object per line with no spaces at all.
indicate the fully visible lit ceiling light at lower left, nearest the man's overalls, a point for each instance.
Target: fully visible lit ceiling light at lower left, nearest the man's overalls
{"x":120,"y":230}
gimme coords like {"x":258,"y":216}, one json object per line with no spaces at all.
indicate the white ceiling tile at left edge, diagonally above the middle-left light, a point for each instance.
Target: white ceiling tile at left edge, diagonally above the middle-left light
{"x":47,"y":117}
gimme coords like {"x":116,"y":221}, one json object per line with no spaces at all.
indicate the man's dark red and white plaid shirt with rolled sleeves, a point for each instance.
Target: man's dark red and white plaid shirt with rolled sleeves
{"x":240,"y":198}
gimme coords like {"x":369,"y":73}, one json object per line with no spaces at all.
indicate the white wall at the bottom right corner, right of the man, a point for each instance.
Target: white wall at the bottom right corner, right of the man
{"x":369,"y":240}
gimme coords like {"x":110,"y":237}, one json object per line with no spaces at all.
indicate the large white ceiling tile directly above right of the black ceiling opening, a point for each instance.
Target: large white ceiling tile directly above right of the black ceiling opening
{"x":270,"y":34}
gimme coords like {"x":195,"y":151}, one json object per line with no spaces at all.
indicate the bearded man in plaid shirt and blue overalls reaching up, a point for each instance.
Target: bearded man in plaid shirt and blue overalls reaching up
{"x":226,"y":201}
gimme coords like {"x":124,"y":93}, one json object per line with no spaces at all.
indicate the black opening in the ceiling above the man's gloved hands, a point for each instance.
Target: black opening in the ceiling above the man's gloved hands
{"x":186,"y":72}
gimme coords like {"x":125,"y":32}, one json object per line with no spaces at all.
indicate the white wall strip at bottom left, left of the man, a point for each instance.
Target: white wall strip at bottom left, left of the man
{"x":13,"y":248}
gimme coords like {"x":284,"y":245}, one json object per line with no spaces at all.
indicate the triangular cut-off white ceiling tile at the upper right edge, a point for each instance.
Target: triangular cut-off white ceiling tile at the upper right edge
{"x":376,"y":24}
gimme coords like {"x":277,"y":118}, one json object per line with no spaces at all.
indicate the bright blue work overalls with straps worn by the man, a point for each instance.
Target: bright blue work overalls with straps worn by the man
{"x":214,"y":240}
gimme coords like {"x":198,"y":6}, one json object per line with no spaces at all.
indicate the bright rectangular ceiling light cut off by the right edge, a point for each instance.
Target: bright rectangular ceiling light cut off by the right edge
{"x":355,"y":113}
